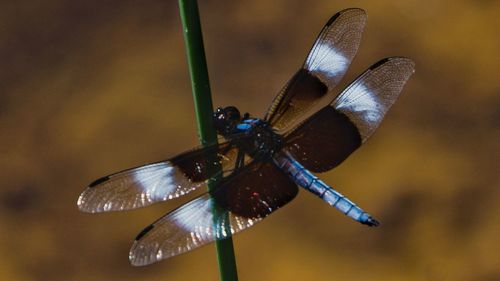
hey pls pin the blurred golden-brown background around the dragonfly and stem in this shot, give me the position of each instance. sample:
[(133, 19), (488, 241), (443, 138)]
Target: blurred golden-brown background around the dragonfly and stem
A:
[(91, 87)]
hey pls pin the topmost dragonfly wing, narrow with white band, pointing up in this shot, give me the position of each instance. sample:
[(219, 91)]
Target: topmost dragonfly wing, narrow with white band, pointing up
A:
[(324, 67)]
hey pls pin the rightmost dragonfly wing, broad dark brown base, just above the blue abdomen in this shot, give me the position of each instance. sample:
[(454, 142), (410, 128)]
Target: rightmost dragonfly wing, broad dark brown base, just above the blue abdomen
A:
[(328, 137)]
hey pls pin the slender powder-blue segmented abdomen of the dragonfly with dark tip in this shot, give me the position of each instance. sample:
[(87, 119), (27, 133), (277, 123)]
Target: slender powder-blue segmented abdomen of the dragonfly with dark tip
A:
[(307, 180)]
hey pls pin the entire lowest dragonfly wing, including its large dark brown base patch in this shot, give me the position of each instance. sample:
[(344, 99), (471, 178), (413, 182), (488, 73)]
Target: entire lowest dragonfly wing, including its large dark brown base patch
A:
[(246, 197)]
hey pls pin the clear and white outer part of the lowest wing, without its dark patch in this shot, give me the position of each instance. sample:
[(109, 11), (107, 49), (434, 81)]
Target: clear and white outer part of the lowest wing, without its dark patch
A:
[(186, 228)]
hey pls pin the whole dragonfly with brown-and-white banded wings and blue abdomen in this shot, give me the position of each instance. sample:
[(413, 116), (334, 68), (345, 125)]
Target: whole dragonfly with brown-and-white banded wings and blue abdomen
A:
[(261, 162)]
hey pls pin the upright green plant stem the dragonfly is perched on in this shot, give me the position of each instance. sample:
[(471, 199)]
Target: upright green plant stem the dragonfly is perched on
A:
[(204, 111)]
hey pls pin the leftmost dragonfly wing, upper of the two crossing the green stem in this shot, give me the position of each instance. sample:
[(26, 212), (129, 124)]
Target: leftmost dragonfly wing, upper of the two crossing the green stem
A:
[(145, 185)]
